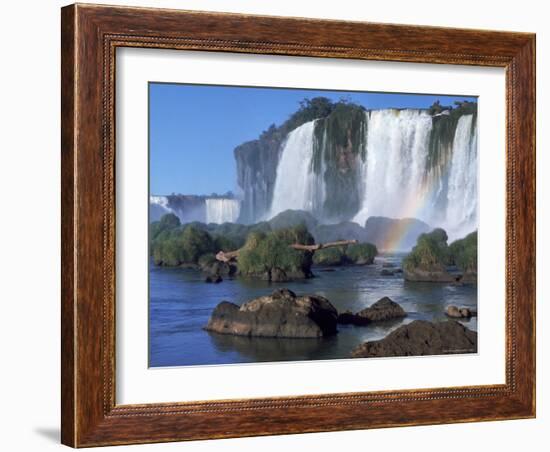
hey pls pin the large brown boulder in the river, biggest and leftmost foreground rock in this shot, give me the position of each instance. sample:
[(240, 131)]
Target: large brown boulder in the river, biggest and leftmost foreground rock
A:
[(281, 314)]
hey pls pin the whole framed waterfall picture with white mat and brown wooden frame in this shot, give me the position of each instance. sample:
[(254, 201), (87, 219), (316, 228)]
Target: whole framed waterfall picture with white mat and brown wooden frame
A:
[(281, 225)]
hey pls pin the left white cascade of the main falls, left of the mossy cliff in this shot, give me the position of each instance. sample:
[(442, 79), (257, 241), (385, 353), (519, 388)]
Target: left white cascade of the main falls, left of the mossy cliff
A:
[(296, 185)]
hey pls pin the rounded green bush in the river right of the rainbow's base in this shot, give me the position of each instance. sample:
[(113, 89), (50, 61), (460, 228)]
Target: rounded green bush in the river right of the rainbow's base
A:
[(431, 252)]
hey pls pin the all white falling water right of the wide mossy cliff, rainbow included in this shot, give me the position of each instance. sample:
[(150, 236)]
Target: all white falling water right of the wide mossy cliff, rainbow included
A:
[(399, 182)]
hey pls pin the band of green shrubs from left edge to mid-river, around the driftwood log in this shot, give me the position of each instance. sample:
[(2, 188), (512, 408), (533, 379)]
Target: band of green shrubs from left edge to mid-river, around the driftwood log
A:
[(263, 250)]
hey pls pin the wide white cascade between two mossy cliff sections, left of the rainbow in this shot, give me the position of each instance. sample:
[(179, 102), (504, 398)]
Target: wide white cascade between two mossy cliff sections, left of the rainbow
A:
[(394, 169)]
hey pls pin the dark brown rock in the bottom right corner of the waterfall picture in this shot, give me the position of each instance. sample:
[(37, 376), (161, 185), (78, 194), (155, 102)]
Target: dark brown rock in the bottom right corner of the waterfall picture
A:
[(421, 338)]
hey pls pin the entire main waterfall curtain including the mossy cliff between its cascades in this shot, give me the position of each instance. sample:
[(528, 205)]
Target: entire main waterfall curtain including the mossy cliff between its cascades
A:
[(395, 163)]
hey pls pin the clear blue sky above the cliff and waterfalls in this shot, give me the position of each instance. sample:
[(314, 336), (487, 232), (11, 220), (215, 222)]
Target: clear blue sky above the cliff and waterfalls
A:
[(193, 129)]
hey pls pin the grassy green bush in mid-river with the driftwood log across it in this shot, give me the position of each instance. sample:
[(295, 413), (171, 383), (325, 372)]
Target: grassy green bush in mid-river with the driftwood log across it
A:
[(264, 252)]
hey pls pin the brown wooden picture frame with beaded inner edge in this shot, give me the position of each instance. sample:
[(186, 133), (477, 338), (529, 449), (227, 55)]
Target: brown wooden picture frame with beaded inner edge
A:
[(90, 36)]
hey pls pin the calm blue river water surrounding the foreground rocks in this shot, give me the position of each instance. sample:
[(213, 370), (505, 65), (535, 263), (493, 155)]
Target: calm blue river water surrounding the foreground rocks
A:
[(181, 303)]
